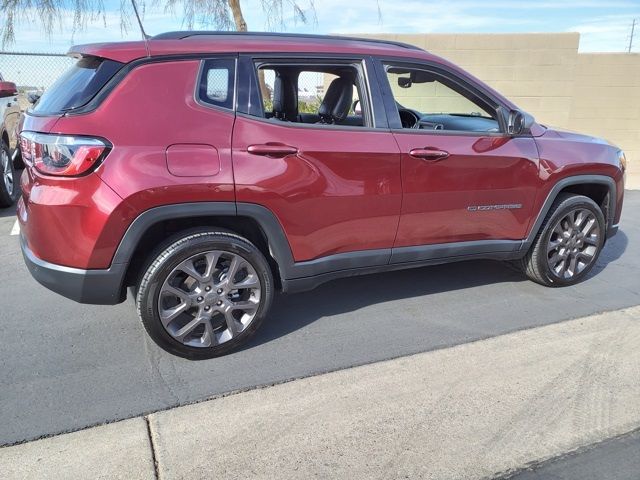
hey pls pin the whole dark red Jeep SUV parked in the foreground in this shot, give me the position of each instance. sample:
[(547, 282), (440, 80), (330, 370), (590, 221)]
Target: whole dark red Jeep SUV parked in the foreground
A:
[(162, 170)]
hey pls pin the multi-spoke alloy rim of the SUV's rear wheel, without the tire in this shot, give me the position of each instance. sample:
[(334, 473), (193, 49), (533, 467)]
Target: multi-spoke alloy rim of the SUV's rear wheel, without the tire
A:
[(209, 298)]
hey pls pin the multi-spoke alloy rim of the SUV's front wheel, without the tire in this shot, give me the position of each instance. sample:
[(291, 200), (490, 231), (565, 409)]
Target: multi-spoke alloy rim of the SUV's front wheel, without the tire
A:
[(573, 243)]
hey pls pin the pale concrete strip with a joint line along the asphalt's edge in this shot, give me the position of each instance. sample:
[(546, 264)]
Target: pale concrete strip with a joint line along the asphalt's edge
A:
[(469, 411)]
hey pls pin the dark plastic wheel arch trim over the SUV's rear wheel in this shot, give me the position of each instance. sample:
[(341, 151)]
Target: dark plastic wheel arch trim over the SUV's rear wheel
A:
[(254, 222)]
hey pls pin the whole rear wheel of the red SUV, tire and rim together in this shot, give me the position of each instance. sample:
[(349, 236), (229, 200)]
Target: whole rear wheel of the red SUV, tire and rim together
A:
[(205, 294)]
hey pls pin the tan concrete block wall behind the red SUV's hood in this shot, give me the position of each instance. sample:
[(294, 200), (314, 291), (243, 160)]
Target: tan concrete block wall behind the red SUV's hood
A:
[(544, 74)]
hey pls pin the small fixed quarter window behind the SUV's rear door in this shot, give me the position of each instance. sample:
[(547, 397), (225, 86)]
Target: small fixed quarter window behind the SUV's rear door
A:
[(217, 82)]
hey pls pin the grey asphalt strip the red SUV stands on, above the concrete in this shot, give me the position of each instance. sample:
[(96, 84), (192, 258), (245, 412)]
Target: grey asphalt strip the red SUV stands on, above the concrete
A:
[(65, 366)]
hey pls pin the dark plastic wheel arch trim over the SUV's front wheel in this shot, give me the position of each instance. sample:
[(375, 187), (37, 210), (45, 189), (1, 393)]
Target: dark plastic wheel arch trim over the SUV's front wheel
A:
[(600, 188)]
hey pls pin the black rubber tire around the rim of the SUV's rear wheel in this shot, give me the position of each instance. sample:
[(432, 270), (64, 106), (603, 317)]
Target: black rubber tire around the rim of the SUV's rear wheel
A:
[(189, 245)]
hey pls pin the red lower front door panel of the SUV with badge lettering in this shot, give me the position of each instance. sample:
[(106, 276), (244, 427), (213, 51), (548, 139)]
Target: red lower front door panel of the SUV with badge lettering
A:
[(480, 171)]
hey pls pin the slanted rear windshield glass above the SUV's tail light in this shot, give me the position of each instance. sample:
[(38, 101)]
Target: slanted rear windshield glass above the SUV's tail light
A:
[(77, 86)]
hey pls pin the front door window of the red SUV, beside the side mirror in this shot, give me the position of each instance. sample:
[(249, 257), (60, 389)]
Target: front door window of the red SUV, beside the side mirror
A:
[(429, 101)]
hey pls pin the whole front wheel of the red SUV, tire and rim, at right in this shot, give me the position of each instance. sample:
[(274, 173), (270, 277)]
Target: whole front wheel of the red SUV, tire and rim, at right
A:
[(568, 244)]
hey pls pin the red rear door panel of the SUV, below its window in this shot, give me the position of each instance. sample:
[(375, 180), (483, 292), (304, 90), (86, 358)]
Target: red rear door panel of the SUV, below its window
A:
[(340, 193)]
